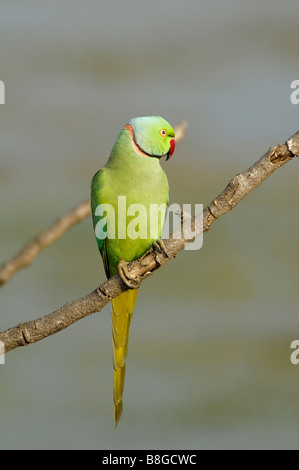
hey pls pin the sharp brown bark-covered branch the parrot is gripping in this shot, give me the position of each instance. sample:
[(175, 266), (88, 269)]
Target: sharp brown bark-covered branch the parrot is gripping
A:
[(136, 271)]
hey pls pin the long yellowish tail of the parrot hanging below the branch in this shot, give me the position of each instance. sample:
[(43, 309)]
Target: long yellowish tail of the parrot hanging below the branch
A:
[(122, 308)]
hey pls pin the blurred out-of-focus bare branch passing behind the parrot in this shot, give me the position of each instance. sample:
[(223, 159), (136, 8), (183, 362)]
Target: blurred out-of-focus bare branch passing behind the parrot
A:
[(29, 252)]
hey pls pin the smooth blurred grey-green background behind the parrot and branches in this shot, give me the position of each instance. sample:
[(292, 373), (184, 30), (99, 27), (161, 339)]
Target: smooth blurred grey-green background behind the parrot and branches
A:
[(209, 354)]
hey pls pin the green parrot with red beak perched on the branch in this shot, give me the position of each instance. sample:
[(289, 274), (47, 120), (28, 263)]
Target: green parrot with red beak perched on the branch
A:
[(133, 171)]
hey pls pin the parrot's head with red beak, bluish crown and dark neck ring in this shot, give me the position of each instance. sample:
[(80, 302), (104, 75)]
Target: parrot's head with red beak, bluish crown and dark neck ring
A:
[(152, 136)]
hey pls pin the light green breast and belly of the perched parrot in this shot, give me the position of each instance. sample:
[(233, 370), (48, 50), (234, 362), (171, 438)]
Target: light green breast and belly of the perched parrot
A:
[(134, 181)]
